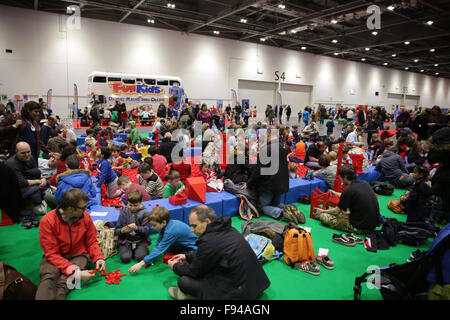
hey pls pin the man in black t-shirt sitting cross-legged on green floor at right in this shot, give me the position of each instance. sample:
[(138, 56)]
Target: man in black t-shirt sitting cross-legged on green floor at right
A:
[(359, 198)]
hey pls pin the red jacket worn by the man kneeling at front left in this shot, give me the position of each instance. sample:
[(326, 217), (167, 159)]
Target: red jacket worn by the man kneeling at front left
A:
[(58, 239)]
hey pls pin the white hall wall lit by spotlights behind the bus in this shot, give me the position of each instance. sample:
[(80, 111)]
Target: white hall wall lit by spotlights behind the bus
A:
[(46, 55)]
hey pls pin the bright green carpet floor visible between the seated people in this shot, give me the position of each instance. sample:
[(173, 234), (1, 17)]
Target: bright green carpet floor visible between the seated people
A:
[(20, 248)]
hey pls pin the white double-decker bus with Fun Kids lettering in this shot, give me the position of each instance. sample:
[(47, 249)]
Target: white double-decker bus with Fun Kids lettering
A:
[(133, 89)]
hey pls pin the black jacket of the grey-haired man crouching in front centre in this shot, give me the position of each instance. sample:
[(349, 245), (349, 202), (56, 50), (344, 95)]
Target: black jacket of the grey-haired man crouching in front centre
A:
[(224, 264)]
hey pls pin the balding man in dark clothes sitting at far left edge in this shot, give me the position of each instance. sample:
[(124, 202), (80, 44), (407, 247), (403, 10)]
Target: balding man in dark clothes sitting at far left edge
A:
[(31, 183)]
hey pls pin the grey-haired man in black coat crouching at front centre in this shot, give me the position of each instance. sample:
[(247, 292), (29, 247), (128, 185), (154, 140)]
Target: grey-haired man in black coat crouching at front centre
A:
[(224, 266)]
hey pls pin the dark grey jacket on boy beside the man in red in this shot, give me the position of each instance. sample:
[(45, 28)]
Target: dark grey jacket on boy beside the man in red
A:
[(140, 218)]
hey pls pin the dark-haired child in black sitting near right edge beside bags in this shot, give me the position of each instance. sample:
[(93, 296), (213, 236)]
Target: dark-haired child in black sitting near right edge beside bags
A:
[(418, 197)]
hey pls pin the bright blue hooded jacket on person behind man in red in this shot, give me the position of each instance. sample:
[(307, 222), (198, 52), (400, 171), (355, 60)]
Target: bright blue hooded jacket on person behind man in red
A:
[(78, 178)]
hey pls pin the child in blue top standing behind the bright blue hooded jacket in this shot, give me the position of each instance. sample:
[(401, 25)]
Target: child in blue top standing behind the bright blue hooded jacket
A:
[(106, 174)]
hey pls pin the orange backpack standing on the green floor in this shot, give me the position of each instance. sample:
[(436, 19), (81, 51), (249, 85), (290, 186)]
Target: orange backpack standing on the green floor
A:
[(298, 246)]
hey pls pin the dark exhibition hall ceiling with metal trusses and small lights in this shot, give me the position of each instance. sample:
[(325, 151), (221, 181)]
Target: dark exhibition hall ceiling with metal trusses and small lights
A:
[(406, 35)]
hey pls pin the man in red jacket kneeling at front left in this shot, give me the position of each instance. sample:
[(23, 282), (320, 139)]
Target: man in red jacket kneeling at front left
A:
[(68, 238)]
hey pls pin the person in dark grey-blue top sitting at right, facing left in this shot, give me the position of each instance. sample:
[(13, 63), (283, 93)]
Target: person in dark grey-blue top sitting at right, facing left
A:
[(393, 168)]
